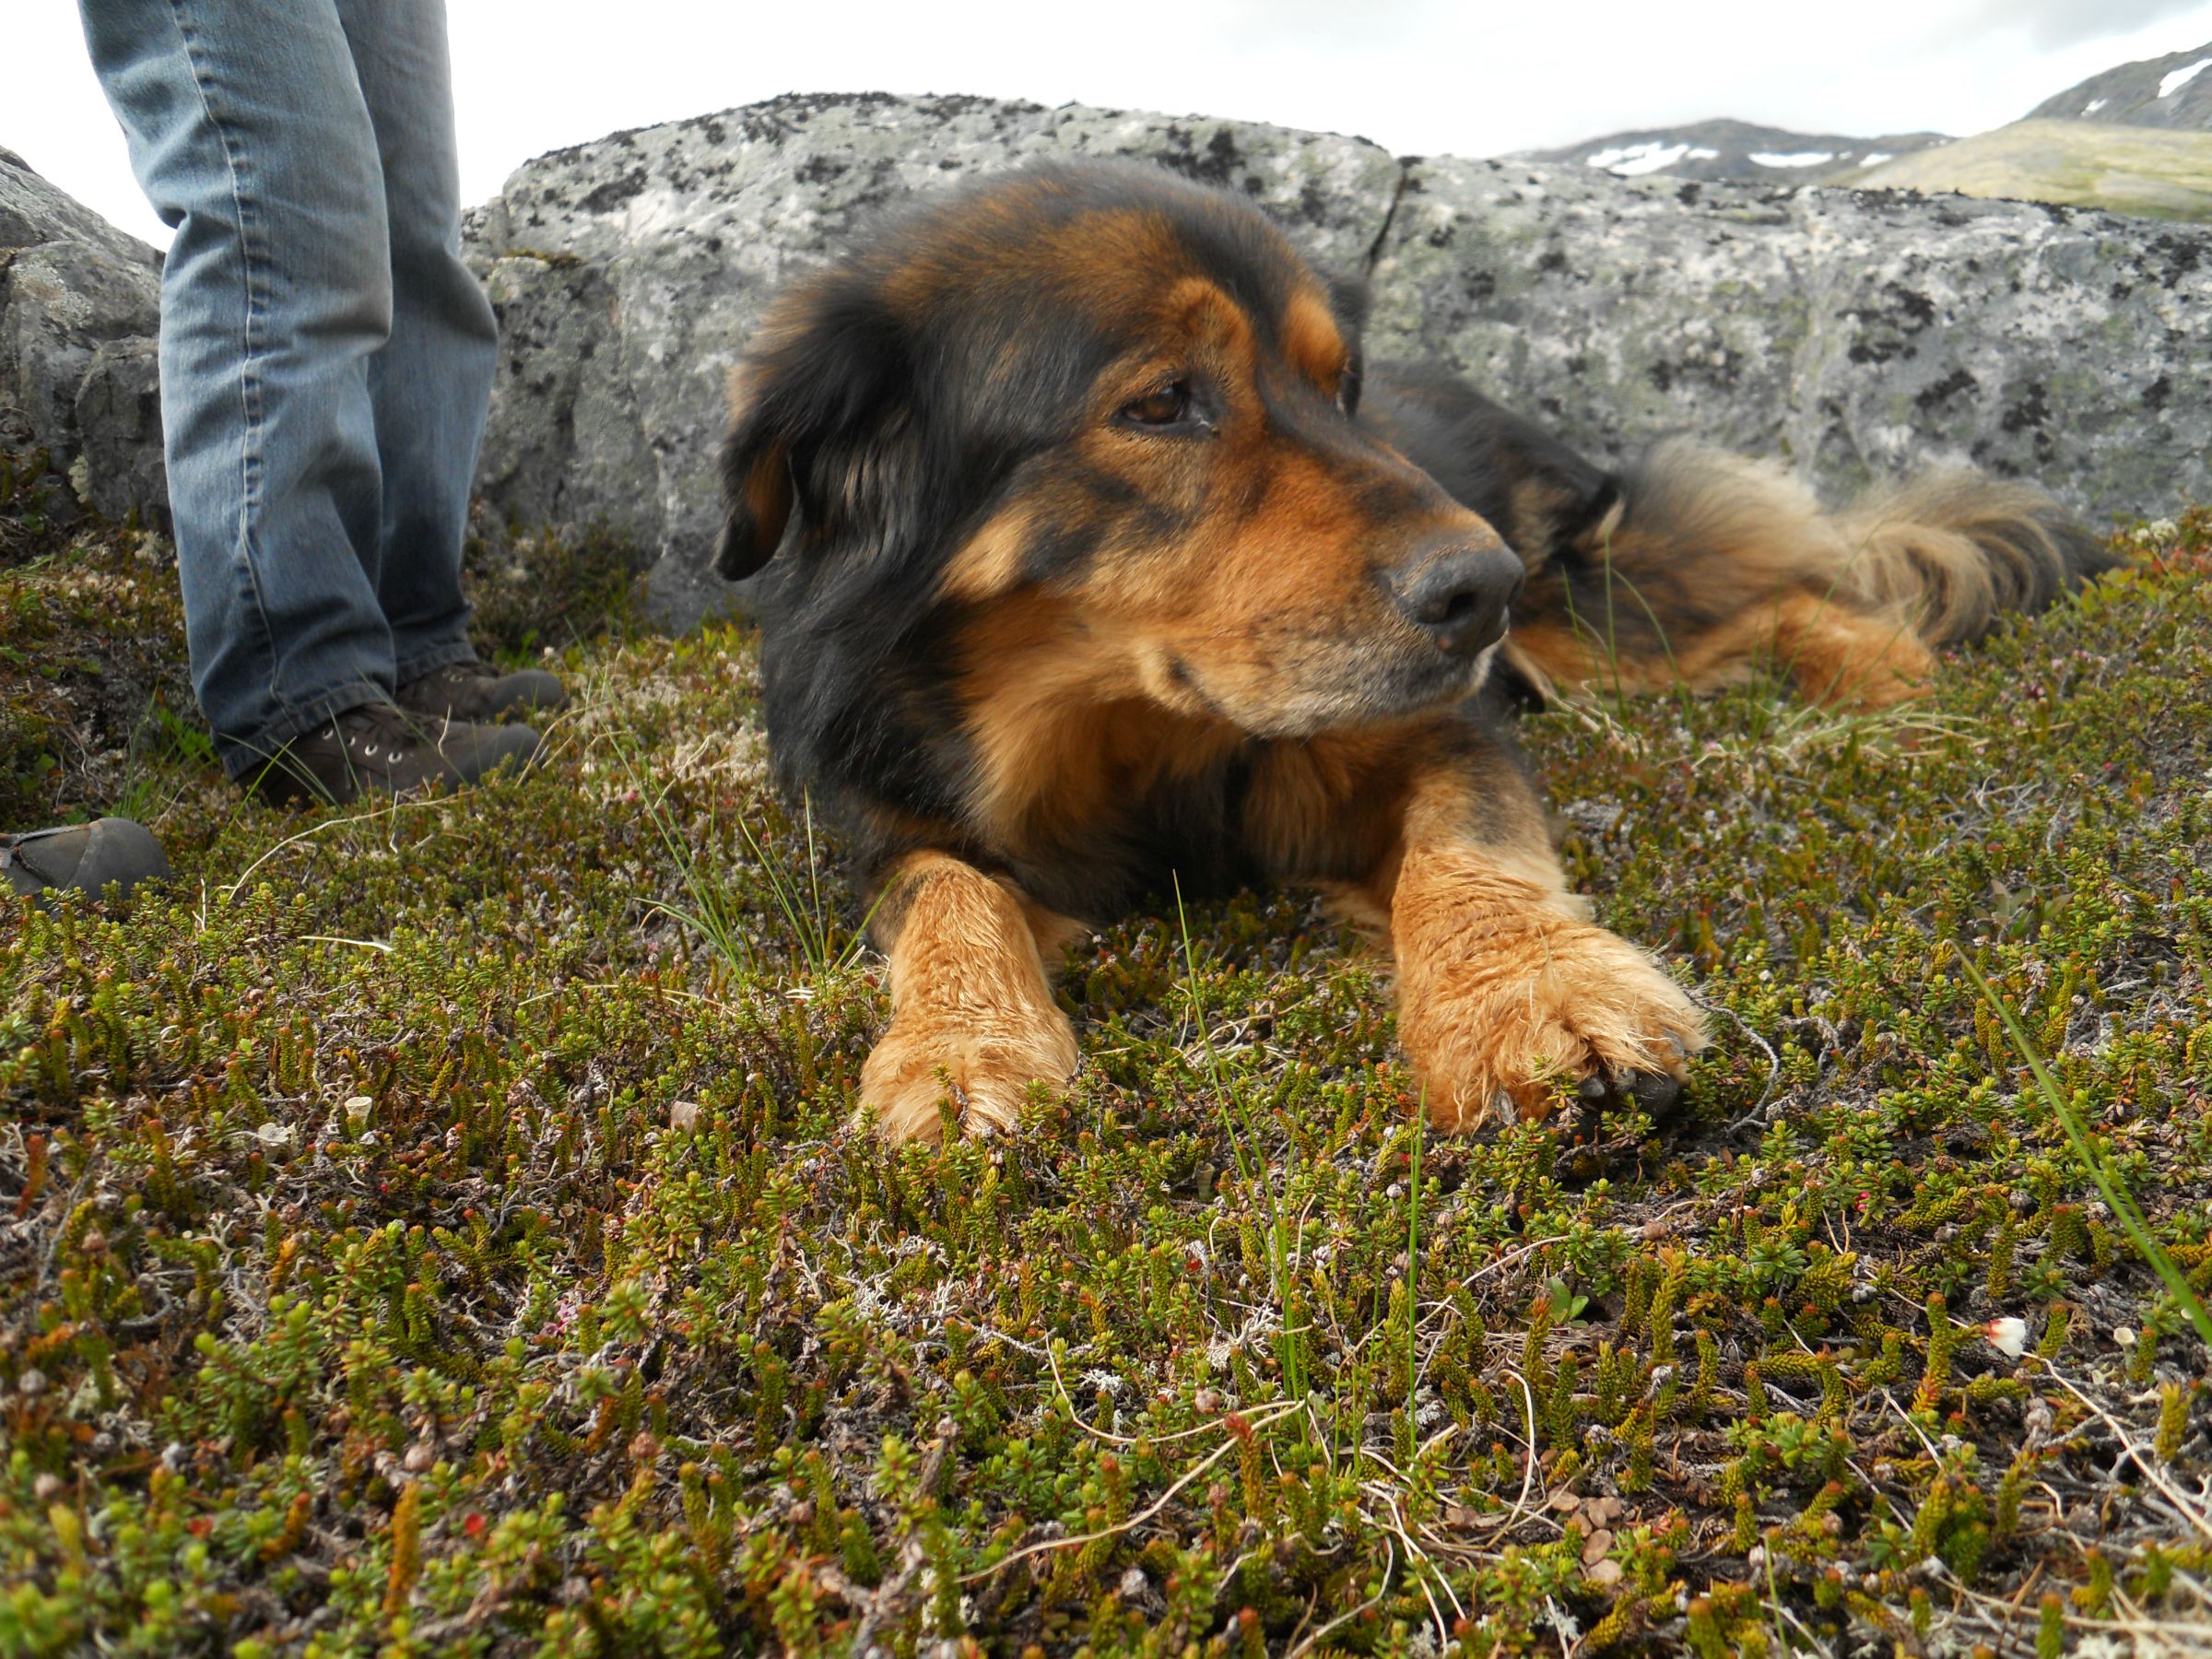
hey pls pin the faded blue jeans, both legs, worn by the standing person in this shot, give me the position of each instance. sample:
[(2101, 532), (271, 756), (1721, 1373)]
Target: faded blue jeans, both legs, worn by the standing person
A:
[(326, 357)]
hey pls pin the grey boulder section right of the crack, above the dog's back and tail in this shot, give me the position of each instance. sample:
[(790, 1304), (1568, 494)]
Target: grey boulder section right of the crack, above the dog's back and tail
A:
[(1850, 333)]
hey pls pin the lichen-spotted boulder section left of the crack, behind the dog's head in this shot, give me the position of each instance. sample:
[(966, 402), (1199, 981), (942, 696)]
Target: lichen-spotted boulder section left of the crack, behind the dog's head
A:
[(629, 275)]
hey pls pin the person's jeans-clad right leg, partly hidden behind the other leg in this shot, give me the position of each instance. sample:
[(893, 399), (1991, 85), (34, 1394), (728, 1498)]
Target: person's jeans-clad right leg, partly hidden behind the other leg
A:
[(432, 382)]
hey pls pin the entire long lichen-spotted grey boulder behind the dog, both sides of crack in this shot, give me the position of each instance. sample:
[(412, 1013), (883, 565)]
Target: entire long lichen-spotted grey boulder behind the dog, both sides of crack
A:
[(1848, 333)]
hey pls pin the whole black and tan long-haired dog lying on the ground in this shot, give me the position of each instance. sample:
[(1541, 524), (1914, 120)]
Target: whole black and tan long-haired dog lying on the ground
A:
[(1100, 554)]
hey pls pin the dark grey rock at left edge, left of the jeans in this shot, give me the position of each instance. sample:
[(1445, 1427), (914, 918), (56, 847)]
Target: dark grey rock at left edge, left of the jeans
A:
[(81, 306)]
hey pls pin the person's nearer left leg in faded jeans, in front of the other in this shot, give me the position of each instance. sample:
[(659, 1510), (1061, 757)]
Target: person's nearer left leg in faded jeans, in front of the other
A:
[(251, 138)]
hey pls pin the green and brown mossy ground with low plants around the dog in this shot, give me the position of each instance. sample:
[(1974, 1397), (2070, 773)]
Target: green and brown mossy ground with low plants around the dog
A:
[(417, 1240)]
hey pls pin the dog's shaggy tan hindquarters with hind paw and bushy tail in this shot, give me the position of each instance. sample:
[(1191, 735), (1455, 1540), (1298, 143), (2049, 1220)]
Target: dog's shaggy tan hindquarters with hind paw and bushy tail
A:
[(1709, 563)]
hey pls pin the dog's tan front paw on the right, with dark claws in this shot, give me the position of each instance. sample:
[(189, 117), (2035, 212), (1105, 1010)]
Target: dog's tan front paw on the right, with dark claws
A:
[(1496, 1032)]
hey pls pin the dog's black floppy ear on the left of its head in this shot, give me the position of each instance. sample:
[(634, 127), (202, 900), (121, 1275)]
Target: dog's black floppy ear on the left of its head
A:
[(826, 432)]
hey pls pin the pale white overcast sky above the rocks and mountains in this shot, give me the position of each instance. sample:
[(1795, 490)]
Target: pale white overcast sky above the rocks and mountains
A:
[(1419, 76)]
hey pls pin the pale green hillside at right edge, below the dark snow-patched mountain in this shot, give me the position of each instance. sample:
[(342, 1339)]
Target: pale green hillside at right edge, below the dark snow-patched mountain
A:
[(2087, 165)]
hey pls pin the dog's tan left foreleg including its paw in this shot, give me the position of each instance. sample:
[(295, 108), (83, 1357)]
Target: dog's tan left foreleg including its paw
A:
[(972, 1012)]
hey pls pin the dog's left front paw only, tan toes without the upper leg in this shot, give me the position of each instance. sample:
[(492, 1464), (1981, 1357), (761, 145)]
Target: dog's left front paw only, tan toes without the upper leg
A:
[(983, 1067)]
